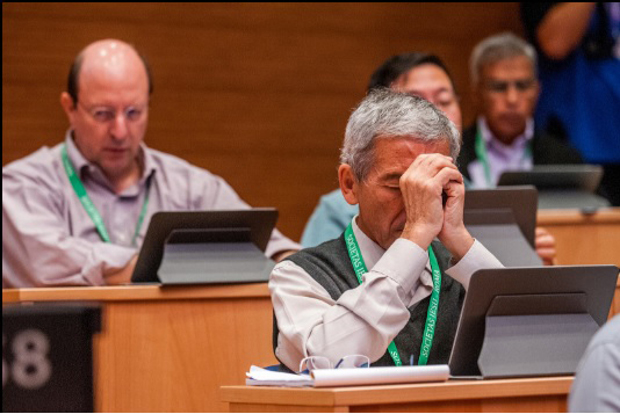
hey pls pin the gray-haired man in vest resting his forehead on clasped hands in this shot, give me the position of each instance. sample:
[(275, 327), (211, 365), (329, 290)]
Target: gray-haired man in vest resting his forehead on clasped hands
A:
[(385, 288)]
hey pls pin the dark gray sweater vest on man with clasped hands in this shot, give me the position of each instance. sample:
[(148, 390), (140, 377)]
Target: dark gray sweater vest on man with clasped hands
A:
[(330, 266)]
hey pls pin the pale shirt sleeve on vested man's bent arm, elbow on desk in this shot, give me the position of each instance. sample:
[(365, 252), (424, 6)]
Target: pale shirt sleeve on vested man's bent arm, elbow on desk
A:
[(363, 320)]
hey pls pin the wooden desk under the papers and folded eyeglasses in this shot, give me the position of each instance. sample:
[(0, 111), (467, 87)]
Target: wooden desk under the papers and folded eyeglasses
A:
[(513, 395)]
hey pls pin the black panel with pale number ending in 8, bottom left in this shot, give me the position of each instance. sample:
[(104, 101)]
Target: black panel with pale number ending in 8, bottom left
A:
[(47, 357)]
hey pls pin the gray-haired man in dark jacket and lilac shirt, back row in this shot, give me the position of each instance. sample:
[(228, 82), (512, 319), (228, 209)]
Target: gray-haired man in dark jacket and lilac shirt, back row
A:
[(504, 137)]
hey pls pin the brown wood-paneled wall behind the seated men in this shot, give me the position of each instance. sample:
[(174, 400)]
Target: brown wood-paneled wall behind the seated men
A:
[(257, 93)]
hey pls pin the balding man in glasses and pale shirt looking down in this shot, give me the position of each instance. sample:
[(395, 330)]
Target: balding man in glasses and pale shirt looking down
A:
[(77, 213)]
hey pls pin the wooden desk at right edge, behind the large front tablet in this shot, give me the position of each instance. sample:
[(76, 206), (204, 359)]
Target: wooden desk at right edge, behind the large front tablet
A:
[(585, 239)]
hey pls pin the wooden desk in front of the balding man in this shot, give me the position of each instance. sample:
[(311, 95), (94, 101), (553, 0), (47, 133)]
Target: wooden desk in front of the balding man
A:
[(170, 349)]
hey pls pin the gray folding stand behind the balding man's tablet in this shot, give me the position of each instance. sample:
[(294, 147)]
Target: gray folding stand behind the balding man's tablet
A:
[(215, 255)]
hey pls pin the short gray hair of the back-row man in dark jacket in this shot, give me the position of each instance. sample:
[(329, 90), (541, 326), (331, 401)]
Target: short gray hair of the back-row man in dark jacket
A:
[(499, 47)]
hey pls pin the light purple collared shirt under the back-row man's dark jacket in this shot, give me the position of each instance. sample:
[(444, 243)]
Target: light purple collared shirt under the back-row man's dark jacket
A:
[(501, 157)]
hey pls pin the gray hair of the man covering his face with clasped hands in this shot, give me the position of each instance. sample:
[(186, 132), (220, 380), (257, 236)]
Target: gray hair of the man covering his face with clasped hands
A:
[(385, 113)]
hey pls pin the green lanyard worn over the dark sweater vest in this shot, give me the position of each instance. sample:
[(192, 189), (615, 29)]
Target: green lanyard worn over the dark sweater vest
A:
[(360, 268)]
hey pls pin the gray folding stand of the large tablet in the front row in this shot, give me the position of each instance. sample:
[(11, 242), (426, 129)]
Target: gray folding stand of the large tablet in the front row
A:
[(534, 335)]
